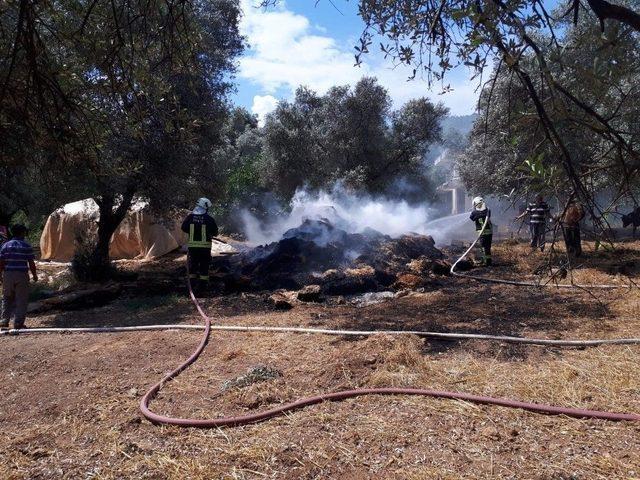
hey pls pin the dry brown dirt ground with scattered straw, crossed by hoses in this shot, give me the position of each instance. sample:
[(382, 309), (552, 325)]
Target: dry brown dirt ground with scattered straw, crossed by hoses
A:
[(70, 402)]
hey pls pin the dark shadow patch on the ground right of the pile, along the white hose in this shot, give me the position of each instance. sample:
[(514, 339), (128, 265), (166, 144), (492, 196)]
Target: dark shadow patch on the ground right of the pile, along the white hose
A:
[(481, 309)]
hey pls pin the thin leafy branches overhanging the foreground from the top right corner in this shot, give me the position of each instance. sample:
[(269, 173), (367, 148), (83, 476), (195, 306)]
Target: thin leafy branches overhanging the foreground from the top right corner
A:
[(434, 36)]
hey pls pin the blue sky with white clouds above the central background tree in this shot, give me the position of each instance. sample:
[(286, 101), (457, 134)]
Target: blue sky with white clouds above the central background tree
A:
[(299, 42)]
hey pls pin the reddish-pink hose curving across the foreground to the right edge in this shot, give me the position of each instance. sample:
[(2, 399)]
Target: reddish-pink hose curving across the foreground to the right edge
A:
[(342, 395)]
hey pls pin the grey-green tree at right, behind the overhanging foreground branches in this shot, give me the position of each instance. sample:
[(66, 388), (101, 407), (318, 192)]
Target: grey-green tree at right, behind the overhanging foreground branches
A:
[(509, 150)]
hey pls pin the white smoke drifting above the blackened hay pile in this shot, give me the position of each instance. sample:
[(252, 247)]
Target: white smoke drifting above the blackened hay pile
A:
[(353, 213)]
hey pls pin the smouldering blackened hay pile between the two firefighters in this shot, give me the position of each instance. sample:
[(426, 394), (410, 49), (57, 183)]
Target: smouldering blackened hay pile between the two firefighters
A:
[(319, 258)]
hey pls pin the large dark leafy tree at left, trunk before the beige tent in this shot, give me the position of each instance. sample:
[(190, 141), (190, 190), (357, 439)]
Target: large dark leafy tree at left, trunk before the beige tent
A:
[(129, 96)]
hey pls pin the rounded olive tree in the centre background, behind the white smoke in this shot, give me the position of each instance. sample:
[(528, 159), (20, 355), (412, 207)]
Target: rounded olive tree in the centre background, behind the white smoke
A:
[(348, 135)]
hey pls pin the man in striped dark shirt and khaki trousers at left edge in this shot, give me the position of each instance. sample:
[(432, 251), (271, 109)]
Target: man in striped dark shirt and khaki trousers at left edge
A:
[(16, 259)]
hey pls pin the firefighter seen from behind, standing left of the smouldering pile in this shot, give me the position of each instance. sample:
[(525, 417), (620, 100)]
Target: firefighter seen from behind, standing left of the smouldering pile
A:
[(201, 228)]
